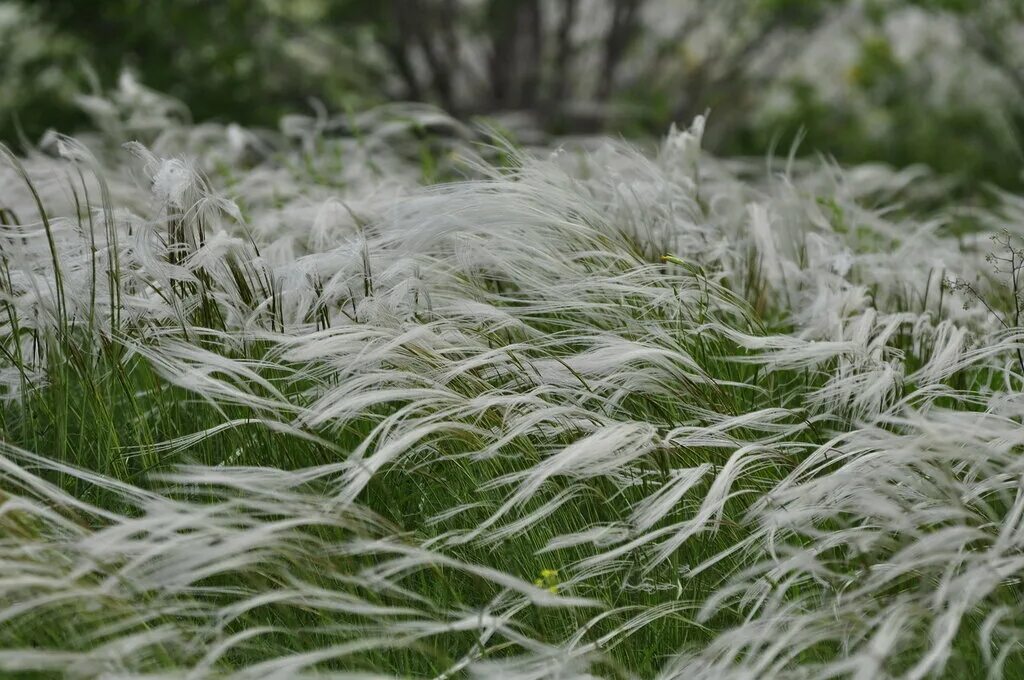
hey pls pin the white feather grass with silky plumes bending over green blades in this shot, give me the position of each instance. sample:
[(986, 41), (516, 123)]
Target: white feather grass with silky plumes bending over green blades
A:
[(356, 402)]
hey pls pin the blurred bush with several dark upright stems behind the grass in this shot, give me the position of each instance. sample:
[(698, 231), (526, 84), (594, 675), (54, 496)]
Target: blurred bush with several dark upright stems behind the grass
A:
[(496, 55)]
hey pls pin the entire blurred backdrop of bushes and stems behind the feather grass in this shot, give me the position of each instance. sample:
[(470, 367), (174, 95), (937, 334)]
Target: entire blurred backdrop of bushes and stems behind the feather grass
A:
[(932, 82)]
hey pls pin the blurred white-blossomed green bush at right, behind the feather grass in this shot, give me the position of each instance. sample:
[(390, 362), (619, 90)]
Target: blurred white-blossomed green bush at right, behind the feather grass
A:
[(912, 82)]
